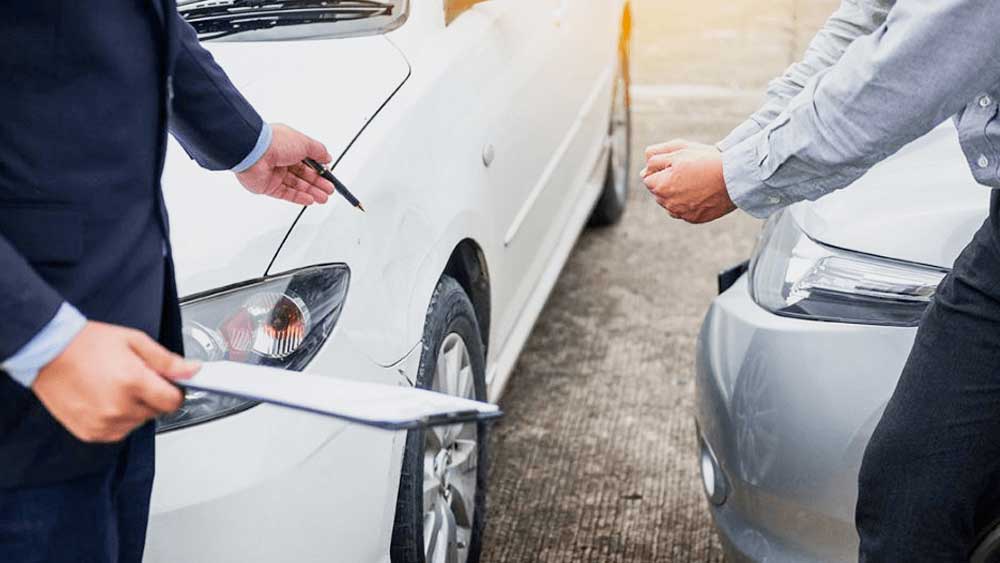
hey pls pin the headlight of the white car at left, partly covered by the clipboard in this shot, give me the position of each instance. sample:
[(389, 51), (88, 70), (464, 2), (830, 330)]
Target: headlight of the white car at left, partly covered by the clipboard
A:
[(279, 321)]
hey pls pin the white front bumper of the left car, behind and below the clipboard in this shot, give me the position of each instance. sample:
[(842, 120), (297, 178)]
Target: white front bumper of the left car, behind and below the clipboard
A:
[(271, 484)]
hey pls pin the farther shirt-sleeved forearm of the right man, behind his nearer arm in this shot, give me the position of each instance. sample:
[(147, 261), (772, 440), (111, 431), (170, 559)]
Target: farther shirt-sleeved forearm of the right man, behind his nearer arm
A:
[(854, 19)]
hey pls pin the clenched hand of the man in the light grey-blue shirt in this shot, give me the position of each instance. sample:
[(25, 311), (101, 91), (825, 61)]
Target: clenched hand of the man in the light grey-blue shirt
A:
[(686, 179)]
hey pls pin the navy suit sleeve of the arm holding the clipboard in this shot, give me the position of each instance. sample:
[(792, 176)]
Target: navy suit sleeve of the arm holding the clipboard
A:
[(27, 302)]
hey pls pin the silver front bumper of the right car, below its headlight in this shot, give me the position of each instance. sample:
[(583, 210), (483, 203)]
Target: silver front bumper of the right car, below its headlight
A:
[(787, 407)]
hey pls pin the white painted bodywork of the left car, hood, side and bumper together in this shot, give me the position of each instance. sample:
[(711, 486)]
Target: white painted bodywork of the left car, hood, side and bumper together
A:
[(269, 485)]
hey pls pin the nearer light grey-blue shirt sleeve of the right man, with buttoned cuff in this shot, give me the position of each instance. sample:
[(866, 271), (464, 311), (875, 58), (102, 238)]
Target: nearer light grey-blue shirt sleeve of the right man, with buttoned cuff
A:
[(923, 65)]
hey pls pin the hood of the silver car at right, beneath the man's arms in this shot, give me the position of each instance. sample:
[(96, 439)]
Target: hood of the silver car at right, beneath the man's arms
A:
[(921, 205)]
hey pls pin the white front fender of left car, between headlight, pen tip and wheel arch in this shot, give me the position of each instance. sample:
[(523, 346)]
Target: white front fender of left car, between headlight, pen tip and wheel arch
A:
[(399, 247)]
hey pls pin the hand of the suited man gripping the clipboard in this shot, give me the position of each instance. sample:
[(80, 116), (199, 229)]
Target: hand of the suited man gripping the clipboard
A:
[(109, 381)]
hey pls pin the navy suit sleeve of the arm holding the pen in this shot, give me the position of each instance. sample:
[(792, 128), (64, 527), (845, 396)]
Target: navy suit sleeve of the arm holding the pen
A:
[(211, 119)]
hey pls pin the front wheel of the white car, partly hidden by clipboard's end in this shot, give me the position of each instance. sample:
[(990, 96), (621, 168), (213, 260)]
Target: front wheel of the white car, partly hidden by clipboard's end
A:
[(441, 508)]
